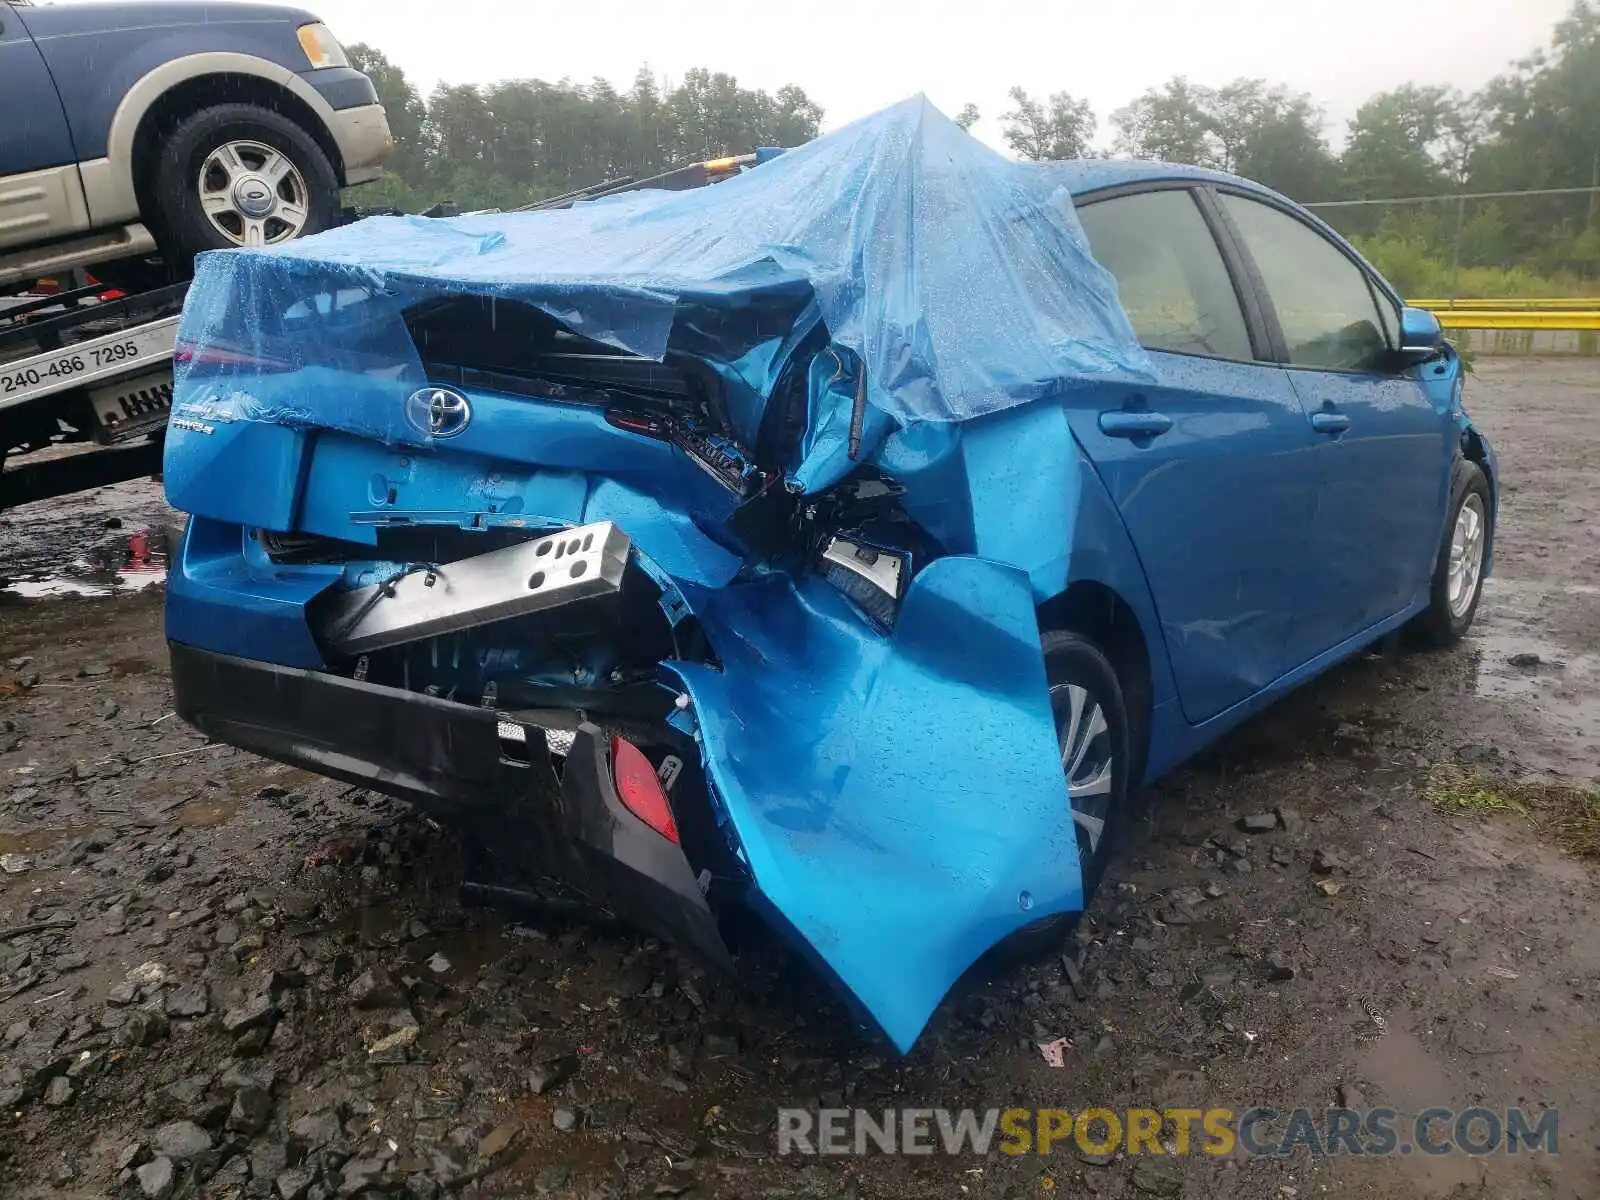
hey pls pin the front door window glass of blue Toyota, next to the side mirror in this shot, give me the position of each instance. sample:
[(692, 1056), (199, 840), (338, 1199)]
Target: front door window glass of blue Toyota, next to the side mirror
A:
[(1324, 300)]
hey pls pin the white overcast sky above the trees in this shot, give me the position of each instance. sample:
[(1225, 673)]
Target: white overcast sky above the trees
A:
[(855, 57)]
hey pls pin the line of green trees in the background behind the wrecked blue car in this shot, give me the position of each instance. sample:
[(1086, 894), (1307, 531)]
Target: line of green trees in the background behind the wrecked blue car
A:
[(1535, 127)]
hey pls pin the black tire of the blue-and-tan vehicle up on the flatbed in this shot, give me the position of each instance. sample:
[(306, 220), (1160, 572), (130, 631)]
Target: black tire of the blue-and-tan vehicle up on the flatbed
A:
[(183, 228)]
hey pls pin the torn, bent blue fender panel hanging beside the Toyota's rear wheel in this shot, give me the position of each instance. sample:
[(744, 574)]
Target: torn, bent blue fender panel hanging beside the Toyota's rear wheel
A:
[(900, 801)]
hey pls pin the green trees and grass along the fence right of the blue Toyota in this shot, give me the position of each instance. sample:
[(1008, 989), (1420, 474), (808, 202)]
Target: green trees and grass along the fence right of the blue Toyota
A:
[(1537, 127)]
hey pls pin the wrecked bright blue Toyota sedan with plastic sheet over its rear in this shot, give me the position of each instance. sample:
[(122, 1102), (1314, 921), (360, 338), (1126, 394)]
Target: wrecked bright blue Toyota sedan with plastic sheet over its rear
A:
[(842, 542)]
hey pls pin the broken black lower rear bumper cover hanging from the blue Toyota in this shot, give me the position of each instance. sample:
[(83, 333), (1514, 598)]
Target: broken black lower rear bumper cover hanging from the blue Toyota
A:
[(522, 822)]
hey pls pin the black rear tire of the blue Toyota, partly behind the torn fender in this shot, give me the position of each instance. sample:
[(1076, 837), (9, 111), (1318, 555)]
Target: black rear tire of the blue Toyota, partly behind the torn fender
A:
[(1071, 658)]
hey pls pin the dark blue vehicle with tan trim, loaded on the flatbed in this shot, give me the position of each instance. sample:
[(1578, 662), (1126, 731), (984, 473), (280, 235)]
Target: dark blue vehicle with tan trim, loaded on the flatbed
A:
[(140, 129)]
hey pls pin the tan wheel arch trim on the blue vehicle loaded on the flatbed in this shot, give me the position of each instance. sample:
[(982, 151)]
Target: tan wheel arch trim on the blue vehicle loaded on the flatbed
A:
[(118, 186)]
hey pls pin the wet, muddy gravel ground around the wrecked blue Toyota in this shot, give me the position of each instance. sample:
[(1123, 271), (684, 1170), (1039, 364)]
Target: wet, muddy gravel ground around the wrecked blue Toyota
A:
[(220, 977)]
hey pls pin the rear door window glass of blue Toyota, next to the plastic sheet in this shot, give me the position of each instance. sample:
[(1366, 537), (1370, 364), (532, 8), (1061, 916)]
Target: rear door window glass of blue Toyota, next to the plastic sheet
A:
[(1170, 274)]
